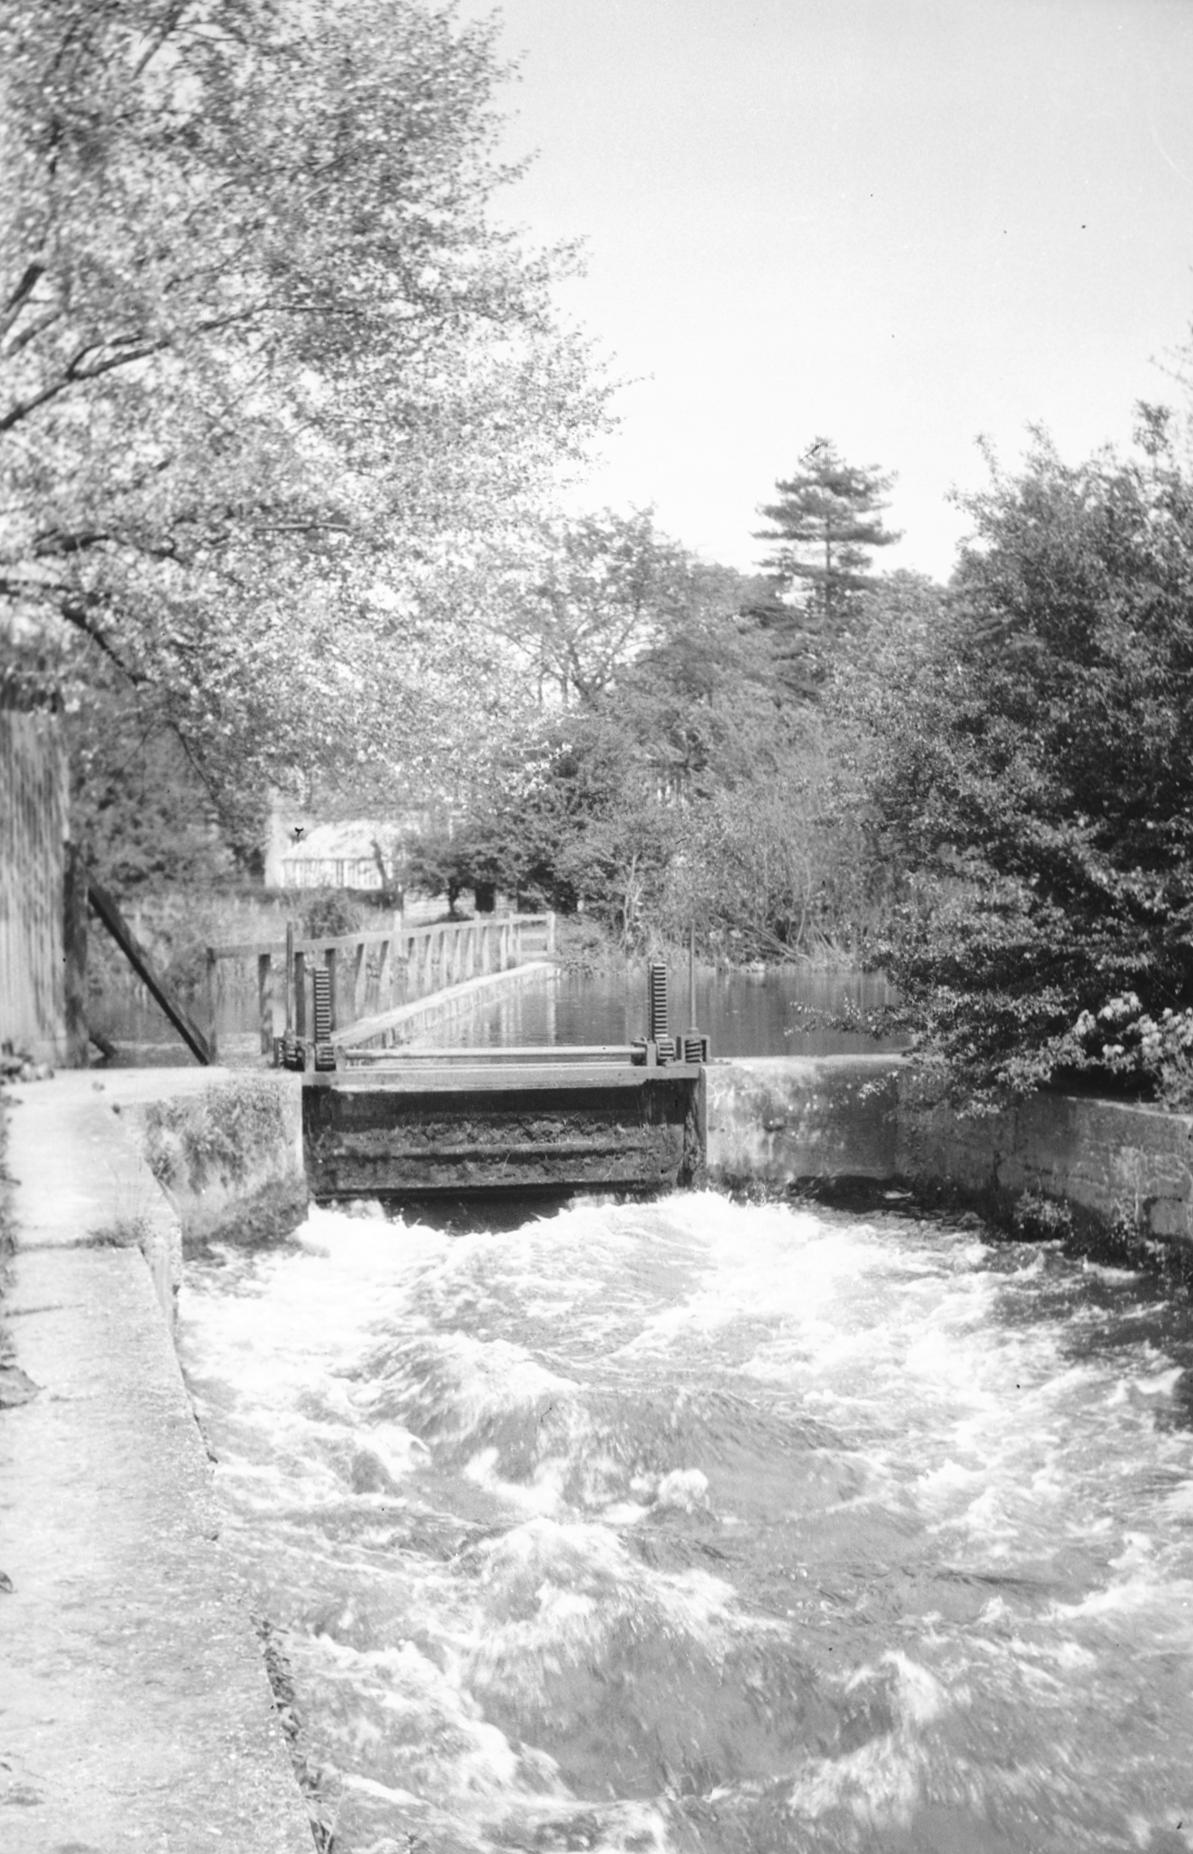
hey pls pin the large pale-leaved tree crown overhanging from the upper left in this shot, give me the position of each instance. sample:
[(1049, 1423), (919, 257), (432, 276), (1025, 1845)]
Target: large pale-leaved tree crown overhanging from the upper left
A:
[(272, 383)]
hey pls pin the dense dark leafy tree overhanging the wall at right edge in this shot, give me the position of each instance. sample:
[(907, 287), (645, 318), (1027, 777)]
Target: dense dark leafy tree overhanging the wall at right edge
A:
[(1036, 781)]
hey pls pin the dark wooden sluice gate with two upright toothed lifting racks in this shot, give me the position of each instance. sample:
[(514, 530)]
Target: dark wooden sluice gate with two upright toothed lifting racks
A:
[(487, 1123)]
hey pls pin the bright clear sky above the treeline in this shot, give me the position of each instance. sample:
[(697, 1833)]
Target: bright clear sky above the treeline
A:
[(904, 225)]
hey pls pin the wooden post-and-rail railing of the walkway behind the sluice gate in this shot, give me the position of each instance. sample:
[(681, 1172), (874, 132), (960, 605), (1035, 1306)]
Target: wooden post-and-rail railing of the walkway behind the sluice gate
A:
[(370, 972)]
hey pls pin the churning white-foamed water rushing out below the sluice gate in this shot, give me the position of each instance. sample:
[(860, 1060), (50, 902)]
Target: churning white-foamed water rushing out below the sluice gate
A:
[(717, 1529)]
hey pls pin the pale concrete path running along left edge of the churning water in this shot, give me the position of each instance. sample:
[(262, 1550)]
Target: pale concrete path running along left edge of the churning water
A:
[(135, 1705)]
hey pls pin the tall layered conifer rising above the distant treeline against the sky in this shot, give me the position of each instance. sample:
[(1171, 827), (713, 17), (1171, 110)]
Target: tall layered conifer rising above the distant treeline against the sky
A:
[(827, 526)]
